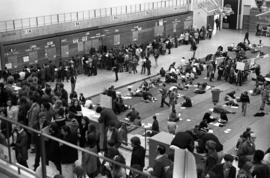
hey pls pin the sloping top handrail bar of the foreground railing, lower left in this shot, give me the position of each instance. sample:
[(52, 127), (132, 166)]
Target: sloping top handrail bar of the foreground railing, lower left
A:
[(40, 133)]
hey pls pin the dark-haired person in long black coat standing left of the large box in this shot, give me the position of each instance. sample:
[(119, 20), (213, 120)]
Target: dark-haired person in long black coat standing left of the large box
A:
[(138, 153)]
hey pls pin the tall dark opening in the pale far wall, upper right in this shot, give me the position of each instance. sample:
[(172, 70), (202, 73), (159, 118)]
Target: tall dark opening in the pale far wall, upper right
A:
[(231, 11)]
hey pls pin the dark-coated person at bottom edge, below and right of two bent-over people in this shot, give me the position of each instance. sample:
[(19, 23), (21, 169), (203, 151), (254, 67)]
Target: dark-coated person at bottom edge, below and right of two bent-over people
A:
[(224, 170)]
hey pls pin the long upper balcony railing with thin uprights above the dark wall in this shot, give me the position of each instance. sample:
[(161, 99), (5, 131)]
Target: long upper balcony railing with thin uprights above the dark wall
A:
[(115, 14)]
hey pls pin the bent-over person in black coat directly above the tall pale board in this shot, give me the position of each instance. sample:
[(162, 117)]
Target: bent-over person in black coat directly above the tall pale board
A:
[(184, 140)]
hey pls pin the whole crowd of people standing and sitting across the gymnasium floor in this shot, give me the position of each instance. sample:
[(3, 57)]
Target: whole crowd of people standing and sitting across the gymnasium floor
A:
[(34, 103)]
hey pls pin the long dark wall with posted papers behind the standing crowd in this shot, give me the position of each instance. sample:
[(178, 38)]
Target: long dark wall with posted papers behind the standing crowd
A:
[(16, 54)]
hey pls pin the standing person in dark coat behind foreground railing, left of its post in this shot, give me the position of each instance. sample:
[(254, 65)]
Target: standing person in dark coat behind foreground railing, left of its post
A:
[(21, 146)]
